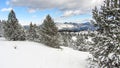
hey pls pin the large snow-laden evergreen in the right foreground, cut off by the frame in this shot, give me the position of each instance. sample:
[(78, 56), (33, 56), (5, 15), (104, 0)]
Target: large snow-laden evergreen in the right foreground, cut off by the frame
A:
[(107, 43)]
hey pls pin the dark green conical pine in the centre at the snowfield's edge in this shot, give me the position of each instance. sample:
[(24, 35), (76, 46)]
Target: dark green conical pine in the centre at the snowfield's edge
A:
[(49, 33)]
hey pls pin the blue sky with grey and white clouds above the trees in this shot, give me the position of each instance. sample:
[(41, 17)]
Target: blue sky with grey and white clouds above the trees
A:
[(61, 11)]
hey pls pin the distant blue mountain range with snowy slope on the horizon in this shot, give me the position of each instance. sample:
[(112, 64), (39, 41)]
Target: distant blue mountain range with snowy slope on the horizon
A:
[(75, 27)]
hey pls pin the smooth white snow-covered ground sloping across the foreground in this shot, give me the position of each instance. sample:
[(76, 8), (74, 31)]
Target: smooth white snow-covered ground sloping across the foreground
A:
[(35, 55)]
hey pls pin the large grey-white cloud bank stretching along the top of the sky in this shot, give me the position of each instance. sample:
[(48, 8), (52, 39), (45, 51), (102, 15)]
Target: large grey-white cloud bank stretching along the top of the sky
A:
[(69, 7)]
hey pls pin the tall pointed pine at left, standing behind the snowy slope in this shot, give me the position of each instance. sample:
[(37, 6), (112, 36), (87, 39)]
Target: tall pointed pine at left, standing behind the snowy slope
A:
[(12, 29)]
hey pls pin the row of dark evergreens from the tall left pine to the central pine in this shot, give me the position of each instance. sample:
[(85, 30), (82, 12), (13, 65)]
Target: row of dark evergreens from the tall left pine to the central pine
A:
[(46, 34)]
